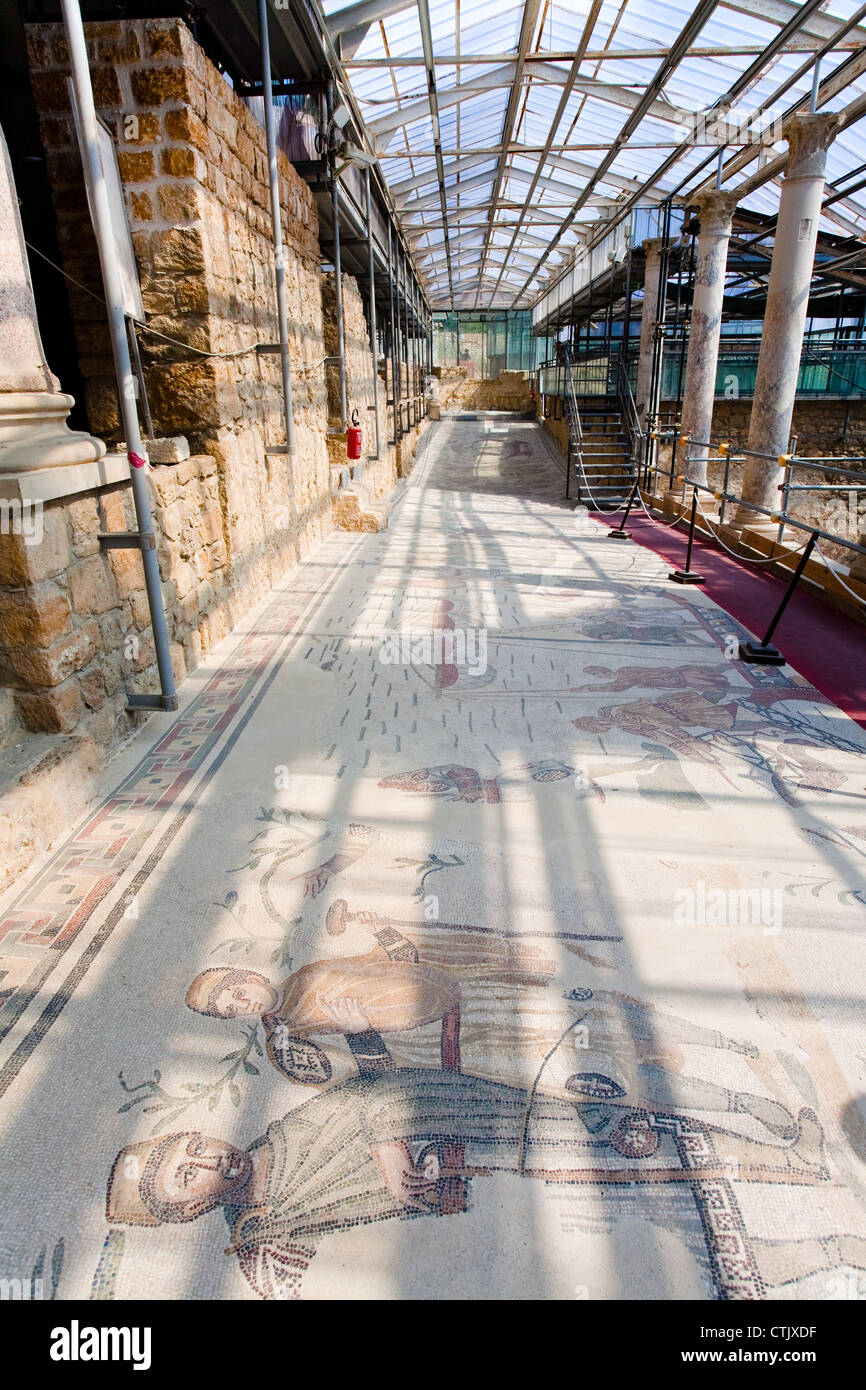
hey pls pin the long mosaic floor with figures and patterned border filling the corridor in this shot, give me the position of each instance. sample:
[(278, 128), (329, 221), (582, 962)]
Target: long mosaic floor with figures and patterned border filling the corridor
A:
[(480, 929)]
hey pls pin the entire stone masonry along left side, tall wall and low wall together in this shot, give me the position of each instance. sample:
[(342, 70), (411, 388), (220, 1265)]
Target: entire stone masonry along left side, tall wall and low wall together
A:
[(237, 515)]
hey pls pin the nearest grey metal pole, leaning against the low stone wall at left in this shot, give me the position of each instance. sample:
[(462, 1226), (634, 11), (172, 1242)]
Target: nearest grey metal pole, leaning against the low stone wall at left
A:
[(120, 344)]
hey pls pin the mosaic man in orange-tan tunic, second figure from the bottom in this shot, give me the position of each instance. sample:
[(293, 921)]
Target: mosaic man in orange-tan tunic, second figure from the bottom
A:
[(498, 1020)]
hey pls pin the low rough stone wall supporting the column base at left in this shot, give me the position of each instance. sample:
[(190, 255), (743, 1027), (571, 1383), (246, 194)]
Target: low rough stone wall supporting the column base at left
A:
[(74, 621)]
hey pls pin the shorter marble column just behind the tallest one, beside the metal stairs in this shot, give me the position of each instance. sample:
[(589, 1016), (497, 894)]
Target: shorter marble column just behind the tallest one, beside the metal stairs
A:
[(715, 212)]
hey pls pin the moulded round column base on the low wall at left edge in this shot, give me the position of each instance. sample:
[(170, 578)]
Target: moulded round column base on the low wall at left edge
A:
[(34, 433)]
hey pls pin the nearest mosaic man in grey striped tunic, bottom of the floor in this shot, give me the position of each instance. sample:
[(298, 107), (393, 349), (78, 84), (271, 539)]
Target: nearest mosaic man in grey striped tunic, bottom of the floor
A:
[(376, 1149)]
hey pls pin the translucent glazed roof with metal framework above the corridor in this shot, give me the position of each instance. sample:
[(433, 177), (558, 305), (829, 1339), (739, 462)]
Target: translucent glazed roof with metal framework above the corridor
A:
[(476, 49)]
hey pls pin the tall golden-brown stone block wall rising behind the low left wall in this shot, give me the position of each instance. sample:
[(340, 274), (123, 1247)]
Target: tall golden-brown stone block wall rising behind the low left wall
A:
[(193, 161)]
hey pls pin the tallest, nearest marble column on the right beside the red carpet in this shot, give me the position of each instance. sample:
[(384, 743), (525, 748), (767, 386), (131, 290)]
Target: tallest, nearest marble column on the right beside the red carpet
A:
[(810, 137)]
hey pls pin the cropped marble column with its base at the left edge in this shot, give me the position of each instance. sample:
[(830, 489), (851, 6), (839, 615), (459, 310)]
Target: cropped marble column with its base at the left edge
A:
[(34, 432)]
